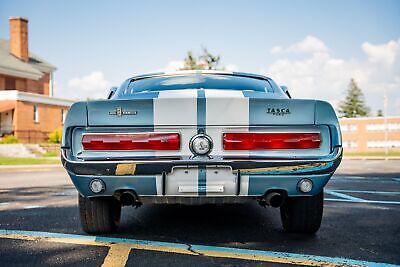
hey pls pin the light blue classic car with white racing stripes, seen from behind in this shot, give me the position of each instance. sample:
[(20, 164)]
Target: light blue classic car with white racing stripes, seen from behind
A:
[(197, 137)]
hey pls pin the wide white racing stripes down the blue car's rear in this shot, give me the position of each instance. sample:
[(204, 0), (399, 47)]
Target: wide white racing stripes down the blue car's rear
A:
[(222, 108)]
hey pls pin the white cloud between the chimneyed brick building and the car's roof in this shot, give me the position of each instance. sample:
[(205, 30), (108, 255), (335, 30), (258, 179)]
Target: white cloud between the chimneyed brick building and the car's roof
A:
[(93, 85)]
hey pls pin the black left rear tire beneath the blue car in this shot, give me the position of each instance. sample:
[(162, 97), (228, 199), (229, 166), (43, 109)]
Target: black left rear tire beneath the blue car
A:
[(99, 215)]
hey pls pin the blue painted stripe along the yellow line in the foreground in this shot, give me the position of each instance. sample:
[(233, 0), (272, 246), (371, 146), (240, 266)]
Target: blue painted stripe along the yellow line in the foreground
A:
[(200, 248)]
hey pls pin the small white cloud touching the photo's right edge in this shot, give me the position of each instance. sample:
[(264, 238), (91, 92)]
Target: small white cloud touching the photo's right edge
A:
[(383, 53)]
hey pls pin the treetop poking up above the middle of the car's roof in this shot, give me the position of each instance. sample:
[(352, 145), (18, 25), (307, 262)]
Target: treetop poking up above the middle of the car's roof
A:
[(206, 61)]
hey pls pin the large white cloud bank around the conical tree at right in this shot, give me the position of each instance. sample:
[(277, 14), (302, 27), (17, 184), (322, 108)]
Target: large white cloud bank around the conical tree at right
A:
[(322, 76)]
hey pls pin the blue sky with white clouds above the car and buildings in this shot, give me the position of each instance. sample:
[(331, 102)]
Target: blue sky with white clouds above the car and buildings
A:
[(312, 46)]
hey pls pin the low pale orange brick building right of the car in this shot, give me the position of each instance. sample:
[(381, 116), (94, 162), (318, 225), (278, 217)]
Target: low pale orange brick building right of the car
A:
[(371, 134)]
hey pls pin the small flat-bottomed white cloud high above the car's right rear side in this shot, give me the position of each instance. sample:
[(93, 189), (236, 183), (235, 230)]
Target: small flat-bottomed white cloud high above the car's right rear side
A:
[(310, 44)]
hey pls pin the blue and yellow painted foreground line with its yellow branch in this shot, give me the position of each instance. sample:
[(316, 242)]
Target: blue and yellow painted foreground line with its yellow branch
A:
[(120, 249)]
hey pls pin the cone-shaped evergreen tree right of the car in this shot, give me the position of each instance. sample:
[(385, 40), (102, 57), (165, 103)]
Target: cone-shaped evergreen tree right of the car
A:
[(354, 105)]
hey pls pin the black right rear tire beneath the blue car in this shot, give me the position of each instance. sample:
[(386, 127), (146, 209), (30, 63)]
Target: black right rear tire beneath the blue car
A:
[(302, 214)]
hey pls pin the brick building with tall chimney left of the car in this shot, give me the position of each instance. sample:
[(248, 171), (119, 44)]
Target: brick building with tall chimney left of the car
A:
[(28, 109)]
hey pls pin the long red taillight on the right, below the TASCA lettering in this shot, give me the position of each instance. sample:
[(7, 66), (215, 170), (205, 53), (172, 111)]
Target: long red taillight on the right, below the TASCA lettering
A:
[(261, 141)]
